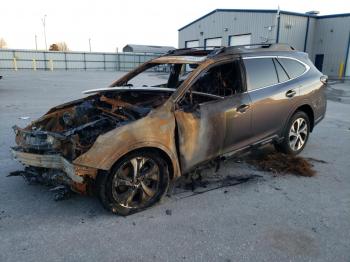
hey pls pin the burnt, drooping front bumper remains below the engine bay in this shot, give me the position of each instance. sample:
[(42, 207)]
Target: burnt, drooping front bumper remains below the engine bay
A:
[(77, 176)]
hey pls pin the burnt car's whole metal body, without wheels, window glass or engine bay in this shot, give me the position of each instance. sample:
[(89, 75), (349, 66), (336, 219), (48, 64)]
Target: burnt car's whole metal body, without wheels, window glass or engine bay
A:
[(190, 137)]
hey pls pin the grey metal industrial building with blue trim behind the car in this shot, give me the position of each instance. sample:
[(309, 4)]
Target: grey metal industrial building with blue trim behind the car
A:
[(325, 38)]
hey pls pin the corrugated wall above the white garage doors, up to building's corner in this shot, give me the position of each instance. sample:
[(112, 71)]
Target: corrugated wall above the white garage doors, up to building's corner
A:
[(262, 26)]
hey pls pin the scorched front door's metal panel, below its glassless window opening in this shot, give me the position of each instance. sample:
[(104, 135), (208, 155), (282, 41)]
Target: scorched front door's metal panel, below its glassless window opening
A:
[(211, 128)]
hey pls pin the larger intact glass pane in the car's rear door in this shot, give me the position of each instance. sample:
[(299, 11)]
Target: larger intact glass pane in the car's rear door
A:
[(260, 72)]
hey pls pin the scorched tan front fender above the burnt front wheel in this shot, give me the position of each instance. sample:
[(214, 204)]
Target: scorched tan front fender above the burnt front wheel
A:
[(156, 130)]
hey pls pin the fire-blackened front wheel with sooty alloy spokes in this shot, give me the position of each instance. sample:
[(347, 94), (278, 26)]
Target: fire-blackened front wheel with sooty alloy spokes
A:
[(135, 182)]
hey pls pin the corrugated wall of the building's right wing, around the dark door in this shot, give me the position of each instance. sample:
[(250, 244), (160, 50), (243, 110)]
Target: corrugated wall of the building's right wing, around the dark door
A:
[(331, 39)]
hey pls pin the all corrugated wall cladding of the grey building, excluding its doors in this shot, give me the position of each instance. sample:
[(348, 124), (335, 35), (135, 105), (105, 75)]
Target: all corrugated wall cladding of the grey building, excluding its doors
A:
[(328, 36)]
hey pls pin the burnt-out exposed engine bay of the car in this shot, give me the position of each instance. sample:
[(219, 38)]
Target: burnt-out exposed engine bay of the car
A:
[(72, 128)]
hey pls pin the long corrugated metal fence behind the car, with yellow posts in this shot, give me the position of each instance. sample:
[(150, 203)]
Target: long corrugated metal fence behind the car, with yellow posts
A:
[(18, 59)]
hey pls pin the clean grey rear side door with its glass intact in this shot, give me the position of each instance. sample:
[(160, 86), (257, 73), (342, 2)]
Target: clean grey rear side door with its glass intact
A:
[(272, 94)]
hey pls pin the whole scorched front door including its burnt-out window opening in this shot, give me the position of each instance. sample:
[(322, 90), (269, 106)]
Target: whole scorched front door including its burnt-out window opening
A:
[(218, 119)]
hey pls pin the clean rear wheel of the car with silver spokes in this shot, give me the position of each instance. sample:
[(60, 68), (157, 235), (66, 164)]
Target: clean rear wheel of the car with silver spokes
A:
[(295, 135)]
